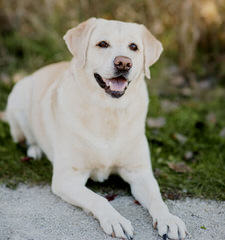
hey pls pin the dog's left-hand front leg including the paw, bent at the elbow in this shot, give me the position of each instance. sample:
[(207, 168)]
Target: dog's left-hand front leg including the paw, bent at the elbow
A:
[(69, 184)]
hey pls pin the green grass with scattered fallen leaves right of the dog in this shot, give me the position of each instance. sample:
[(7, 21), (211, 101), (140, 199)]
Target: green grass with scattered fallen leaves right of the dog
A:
[(206, 177)]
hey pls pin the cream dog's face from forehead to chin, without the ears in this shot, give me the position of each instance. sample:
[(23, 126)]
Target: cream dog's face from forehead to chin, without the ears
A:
[(115, 55)]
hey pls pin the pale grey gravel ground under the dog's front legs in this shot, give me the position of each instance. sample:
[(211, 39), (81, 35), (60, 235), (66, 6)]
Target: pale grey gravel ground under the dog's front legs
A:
[(34, 213)]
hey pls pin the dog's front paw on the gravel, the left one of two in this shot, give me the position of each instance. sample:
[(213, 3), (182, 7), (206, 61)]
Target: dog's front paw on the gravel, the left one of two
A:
[(117, 226)]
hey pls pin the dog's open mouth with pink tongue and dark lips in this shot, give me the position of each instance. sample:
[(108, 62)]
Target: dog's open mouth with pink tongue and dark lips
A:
[(116, 87)]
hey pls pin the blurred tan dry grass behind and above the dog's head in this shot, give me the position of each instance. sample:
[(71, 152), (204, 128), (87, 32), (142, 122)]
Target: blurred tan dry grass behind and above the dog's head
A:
[(187, 27)]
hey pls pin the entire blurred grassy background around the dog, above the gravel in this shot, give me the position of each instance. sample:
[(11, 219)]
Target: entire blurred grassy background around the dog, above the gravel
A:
[(186, 120)]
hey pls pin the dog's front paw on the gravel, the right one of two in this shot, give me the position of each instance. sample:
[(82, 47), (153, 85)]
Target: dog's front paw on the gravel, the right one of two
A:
[(170, 226)]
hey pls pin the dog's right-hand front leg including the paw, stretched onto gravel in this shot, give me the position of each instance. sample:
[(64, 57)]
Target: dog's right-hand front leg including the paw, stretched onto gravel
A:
[(145, 189)]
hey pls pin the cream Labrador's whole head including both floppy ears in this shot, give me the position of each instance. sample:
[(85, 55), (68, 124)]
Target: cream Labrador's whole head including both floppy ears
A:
[(114, 53)]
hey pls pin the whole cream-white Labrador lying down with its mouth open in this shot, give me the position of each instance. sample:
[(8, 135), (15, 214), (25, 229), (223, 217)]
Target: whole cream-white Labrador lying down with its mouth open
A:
[(88, 117)]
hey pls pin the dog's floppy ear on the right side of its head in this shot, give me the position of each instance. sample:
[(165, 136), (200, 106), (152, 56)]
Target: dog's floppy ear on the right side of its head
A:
[(152, 50)]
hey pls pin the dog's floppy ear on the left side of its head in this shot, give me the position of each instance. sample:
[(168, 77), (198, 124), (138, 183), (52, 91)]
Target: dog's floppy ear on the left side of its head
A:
[(77, 40)]
